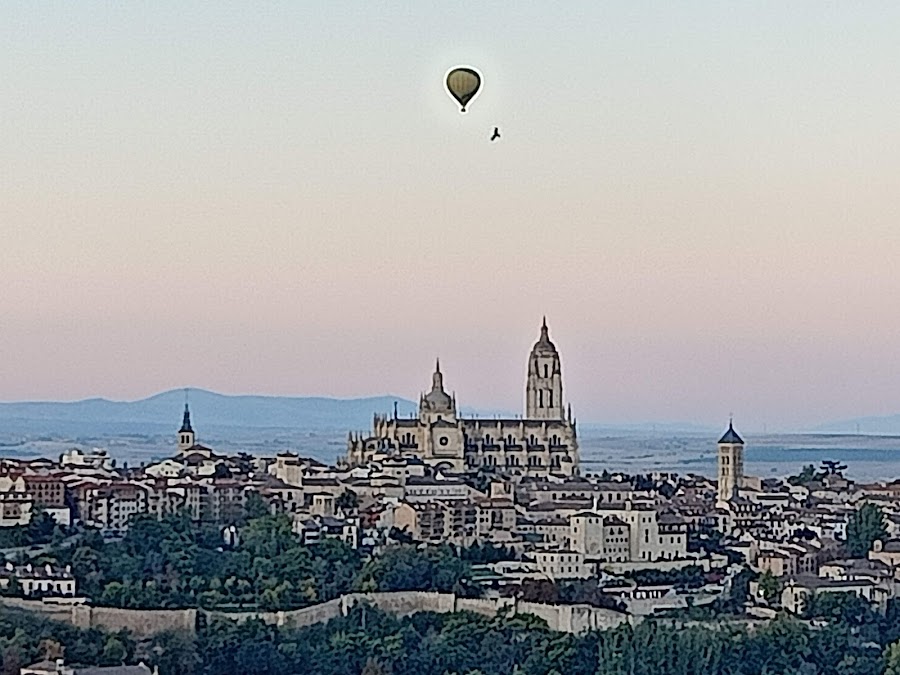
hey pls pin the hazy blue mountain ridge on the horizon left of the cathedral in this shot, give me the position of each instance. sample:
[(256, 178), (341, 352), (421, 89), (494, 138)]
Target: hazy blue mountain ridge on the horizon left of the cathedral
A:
[(162, 413)]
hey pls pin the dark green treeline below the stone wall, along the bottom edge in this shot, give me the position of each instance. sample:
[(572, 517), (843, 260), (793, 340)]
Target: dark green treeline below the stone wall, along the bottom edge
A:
[(370, 642)]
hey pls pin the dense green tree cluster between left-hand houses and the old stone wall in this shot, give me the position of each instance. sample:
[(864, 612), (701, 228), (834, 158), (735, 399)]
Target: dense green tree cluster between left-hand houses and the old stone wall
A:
[(174, 562)]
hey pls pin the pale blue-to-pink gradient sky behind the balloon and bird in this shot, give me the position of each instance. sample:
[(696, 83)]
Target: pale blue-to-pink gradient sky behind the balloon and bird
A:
[(280, 198)]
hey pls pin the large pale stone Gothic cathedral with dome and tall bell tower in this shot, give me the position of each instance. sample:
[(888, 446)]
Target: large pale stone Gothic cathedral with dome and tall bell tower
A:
[(542, 443)]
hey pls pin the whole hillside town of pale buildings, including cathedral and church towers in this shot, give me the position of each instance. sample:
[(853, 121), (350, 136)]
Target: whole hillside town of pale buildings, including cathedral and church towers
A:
[(650, 544)]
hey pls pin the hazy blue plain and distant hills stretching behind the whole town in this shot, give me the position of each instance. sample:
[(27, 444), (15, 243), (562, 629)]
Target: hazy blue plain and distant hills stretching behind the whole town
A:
[(141, 431)]
